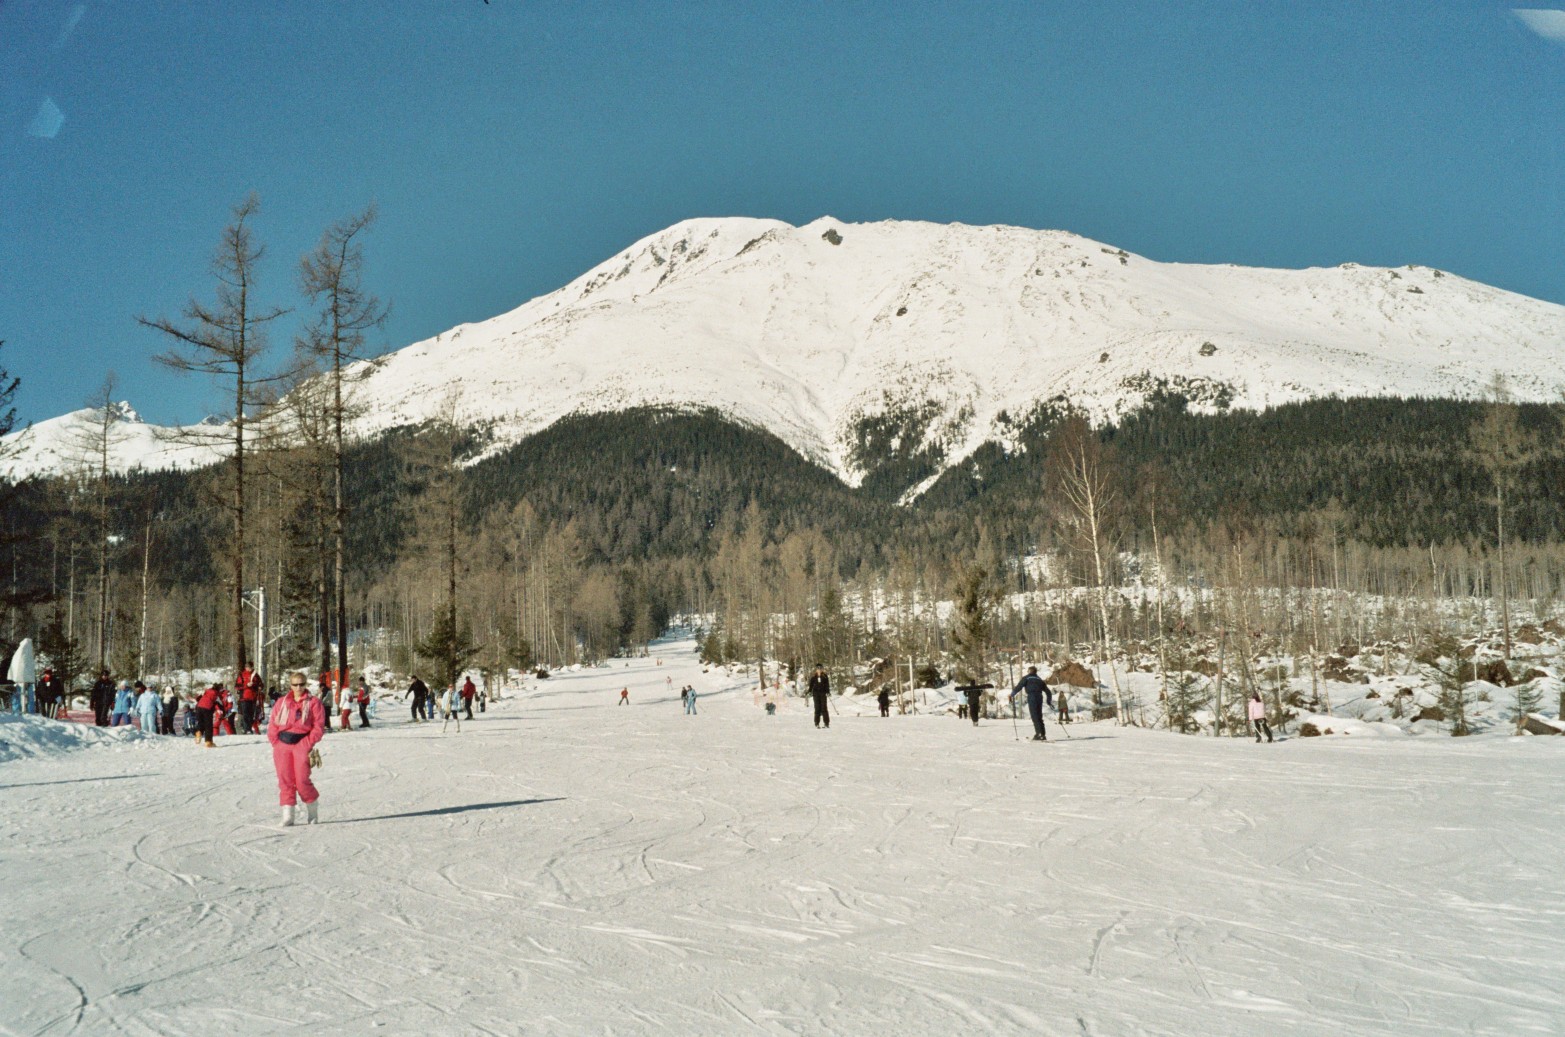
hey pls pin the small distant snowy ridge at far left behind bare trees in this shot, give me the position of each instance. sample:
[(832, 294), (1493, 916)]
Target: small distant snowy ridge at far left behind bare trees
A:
[(71, 442)]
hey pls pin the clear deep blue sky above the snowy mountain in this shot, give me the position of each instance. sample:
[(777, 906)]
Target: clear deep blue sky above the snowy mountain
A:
[(514, 145)]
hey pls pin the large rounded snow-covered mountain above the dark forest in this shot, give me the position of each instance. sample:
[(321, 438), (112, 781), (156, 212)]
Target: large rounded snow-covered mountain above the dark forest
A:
[(847, 340)]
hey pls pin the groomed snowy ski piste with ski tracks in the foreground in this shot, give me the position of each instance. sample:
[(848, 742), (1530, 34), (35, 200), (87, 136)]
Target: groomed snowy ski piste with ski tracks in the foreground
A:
[(567, 866)]
